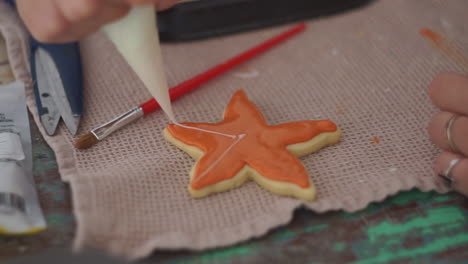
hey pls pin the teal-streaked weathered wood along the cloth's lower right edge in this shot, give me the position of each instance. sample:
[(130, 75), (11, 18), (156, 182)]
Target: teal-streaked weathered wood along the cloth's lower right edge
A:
[(412, 226)]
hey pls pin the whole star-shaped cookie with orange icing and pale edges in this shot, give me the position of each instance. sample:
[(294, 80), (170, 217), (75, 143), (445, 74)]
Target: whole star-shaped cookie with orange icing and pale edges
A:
[(243, 146)]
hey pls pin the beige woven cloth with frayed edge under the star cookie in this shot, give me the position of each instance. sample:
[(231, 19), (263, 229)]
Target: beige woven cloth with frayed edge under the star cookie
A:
[(366, 70)]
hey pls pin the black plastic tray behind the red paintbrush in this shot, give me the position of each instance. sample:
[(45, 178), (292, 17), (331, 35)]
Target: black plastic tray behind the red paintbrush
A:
[(200, 19)]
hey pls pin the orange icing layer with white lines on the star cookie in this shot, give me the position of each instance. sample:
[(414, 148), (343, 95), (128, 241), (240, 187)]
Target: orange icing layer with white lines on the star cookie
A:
[(263, 147)]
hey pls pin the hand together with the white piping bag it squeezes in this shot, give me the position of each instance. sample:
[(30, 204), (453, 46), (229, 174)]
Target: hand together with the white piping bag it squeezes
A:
[(129, 24)]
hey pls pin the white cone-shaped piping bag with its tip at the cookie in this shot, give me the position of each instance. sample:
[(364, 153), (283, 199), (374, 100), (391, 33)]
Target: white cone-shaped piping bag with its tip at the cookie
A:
[(136, 38)]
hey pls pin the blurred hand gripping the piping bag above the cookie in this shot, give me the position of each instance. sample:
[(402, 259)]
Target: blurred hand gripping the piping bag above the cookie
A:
[(58, 21)]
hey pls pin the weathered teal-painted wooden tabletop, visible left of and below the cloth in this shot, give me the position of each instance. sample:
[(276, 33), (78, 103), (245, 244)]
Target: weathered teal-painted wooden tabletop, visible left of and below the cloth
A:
[(411, 227)]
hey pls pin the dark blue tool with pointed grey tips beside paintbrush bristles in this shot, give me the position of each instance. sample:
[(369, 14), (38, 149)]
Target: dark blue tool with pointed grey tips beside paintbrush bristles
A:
[(58, 83)]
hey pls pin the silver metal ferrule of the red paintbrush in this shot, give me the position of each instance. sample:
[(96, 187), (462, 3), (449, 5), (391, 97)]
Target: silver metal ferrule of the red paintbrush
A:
[(117, 123)]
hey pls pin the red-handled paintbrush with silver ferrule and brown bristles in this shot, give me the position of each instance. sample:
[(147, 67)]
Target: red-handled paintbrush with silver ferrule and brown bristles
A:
[(99, 133)]
